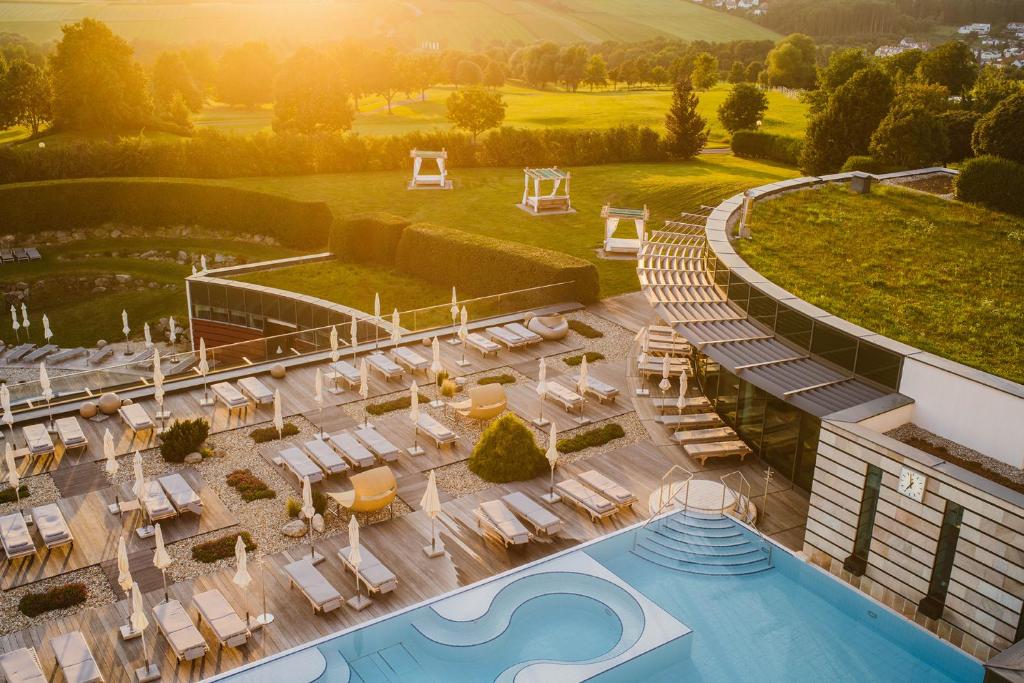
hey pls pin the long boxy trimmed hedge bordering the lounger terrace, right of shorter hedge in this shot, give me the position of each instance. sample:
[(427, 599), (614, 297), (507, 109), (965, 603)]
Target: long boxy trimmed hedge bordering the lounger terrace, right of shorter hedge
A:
[(486, 266)]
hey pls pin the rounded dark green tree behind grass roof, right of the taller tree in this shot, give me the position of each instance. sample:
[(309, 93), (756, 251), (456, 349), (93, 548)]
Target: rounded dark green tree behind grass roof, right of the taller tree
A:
[(911, 137)]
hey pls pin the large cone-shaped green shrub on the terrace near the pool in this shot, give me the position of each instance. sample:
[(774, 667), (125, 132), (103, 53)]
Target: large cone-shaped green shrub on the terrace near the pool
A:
[(507, 452)]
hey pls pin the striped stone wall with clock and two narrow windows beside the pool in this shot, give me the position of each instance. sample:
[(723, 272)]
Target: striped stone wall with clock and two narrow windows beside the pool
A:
[(987, 588)]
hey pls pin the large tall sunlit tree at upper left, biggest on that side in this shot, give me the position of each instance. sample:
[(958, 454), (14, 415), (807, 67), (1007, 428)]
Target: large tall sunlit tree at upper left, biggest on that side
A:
[(98, 84)]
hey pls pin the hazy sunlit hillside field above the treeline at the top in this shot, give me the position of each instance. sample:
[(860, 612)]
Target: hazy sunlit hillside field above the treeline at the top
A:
[(459, 24)]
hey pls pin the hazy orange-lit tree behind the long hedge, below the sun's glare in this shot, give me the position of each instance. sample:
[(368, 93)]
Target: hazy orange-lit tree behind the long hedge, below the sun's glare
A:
[(311, 96)]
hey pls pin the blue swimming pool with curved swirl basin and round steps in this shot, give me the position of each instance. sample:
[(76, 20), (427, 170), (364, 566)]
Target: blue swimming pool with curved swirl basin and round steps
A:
[(606, 613)]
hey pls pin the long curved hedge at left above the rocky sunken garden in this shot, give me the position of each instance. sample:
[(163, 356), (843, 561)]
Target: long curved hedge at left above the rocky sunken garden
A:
[(82, 204)]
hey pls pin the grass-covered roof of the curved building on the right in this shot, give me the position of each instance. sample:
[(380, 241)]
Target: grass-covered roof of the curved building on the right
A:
[(945, 277)]
